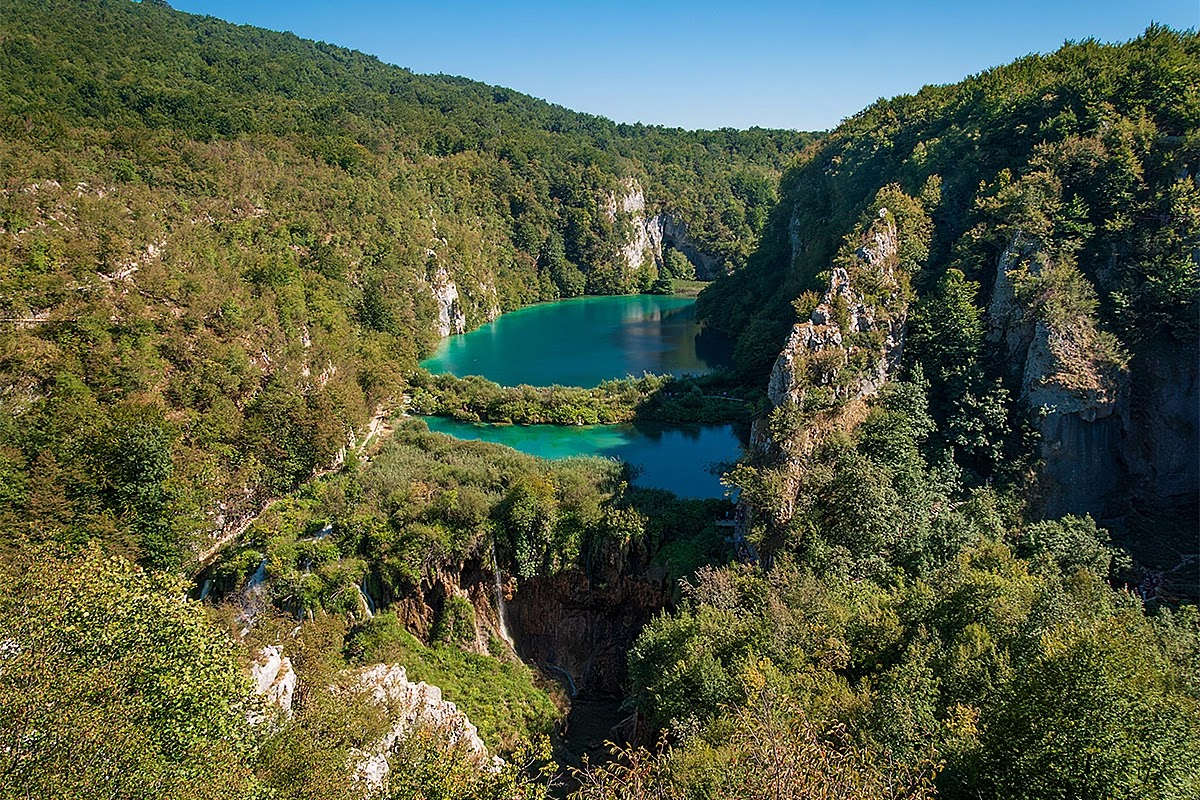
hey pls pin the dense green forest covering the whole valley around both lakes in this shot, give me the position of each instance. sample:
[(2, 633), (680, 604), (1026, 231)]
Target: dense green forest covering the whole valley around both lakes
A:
[(967, 326)]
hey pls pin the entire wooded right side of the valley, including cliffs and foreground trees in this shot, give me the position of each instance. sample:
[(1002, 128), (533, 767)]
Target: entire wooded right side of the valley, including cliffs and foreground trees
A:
[(976, 312)]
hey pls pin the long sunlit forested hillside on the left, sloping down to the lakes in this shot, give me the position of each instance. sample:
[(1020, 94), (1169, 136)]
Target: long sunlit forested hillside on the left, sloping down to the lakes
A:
[(225, 246)]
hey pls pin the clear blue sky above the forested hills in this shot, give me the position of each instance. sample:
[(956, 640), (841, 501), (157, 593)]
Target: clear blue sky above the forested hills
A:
[(703, 64)]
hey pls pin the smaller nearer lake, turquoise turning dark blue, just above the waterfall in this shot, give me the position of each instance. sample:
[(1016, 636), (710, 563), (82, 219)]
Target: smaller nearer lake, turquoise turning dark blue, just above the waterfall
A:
[(681, 460)]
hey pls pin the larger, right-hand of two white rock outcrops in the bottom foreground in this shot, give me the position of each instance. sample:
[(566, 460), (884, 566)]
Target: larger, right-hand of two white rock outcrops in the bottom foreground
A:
[(413, 706)]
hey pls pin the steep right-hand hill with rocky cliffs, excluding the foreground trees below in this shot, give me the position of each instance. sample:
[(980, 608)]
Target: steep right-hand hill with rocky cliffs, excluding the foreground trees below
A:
[(1047, 220)]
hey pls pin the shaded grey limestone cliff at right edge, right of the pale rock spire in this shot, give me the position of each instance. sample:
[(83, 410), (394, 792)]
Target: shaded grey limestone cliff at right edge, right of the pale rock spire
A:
[(1113, 429)]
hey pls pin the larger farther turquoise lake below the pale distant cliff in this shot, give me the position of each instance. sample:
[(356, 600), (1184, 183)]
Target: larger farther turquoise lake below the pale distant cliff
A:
[(586, 341)]
